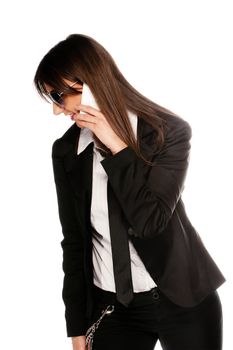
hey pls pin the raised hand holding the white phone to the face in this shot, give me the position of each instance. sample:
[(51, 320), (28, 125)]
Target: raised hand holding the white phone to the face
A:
[(98, 124)]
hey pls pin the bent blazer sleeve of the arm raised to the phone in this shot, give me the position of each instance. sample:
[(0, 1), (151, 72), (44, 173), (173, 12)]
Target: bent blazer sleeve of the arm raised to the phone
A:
[(148, 194)]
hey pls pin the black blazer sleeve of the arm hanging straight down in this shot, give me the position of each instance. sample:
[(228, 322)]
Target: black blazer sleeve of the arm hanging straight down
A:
[(73, 292)]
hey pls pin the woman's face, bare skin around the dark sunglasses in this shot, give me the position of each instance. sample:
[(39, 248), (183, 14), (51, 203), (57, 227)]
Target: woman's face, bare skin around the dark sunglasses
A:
[(70, 101)]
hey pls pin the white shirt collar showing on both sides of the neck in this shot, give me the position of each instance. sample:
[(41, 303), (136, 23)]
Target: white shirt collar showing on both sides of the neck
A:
[(86, 135)]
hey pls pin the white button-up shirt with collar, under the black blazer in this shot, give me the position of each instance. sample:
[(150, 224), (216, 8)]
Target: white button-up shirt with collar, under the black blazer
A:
[(101, 249)]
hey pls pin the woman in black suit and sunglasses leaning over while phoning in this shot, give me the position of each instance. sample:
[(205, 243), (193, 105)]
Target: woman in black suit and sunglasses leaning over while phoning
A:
[(135, 269)]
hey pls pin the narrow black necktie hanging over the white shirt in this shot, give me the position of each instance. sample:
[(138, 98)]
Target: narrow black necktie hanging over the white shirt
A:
[(120, 249)]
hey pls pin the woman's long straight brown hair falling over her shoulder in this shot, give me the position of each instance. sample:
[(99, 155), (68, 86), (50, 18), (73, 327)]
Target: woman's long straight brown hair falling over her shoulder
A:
[(80, 57)]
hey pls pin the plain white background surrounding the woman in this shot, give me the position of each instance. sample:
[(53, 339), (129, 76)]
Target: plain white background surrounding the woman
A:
[(179, 54)]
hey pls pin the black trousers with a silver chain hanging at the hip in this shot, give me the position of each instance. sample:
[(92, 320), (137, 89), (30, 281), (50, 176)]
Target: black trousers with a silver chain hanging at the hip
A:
[(152, 317)]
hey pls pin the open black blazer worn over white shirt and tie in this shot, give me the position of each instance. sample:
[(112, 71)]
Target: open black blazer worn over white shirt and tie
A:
[(151, 213)]
